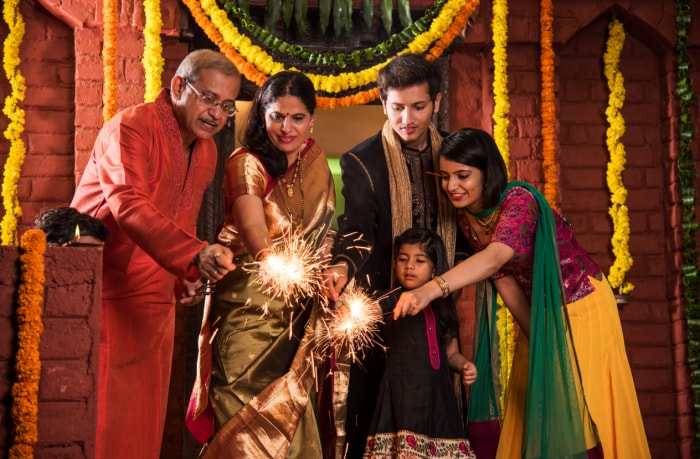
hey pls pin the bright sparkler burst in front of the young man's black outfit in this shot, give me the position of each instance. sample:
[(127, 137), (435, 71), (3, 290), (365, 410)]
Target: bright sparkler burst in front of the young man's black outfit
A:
[(353, 326)]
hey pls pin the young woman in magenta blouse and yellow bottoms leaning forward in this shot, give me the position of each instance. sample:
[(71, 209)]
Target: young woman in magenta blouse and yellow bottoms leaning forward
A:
[(574, 330)]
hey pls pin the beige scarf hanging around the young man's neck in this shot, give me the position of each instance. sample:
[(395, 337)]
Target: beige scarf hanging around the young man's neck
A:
[(401, 202)]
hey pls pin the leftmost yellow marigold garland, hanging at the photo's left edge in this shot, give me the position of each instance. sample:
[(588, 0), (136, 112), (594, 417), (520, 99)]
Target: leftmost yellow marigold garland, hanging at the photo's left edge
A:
[(15, 127)]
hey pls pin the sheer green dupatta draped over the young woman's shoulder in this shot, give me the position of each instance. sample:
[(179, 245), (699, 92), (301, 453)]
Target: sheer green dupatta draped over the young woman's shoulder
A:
[(555, 409)]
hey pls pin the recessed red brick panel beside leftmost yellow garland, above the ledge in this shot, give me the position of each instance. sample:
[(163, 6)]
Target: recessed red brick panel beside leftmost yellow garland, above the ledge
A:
[(48, 66)]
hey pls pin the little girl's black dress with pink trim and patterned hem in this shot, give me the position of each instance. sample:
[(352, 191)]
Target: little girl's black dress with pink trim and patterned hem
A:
[(417, 414)]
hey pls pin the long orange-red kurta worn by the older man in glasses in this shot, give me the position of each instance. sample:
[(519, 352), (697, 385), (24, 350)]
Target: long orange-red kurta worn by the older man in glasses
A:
[(139, 183)]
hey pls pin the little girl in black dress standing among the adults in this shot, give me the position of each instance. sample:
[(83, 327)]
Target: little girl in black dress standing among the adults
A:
[(417, 414)]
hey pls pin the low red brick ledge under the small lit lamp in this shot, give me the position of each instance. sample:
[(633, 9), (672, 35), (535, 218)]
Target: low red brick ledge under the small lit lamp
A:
[(69, 344)]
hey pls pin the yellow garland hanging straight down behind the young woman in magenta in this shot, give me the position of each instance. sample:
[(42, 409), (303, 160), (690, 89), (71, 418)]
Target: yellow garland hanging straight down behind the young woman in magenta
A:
[(499, 24)]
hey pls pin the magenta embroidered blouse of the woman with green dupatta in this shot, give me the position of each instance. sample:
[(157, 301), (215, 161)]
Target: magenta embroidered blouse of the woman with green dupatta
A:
[(516, 228)]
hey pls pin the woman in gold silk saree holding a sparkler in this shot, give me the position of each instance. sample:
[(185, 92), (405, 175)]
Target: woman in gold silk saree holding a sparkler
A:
[(262, 375)]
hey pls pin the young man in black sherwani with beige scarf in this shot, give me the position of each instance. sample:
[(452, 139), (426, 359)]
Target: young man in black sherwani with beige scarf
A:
[(389, 185)]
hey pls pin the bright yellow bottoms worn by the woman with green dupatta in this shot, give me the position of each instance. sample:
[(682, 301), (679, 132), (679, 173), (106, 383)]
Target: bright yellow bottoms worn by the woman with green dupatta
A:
[(606, 376)]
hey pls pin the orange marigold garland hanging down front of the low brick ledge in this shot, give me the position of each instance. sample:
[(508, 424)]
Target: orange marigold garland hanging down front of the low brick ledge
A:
[(25, 403)]
